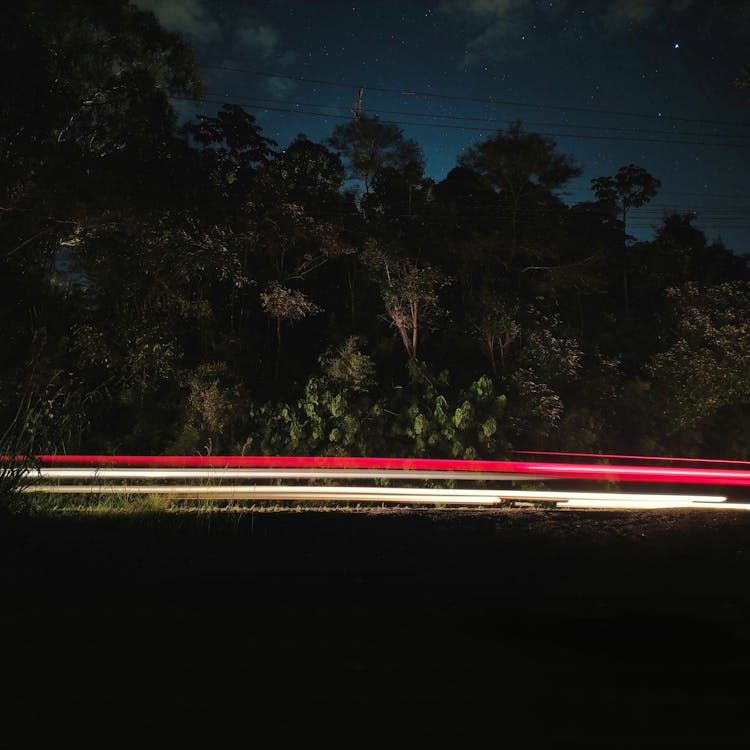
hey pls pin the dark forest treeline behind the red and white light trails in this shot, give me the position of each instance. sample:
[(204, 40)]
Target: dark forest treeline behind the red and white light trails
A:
[(192, 287)]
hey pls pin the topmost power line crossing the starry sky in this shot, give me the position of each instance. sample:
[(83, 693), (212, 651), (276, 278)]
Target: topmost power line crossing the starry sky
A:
[(479, 100)]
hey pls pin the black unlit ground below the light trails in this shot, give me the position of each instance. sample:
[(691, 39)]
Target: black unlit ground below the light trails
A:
[(605, 626)]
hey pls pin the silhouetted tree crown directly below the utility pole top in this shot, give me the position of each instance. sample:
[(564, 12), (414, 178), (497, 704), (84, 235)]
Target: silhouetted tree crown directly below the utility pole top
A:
[(369, 145)]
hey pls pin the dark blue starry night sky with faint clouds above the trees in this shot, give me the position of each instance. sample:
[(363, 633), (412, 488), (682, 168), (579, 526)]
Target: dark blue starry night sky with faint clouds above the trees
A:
[(615, 82)]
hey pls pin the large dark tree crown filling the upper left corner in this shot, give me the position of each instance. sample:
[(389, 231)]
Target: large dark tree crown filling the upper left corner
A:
[(93, 102)]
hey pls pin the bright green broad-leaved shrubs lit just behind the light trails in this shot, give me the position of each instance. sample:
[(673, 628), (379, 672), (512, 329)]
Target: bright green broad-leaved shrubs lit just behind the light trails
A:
[(339, 416)]
